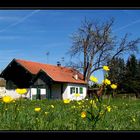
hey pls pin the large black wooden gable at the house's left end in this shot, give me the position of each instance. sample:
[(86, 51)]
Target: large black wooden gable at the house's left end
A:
[(17, 76)]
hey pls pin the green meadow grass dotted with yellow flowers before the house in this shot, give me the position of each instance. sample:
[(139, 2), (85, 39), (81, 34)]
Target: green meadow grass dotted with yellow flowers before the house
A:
[(20, 115)]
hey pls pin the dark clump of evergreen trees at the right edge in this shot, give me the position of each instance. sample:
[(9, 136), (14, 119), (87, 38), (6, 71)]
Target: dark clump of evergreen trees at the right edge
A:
[(127, 76)]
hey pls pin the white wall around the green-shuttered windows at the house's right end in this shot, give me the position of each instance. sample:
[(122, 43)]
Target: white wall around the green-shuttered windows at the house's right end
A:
[(68, 95)]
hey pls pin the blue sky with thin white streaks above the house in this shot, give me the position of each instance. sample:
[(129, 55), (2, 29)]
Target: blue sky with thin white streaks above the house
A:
[(30, 34)]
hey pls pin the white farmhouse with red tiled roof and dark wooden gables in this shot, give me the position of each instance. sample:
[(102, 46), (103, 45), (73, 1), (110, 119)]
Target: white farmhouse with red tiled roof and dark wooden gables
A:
[(43, 80)]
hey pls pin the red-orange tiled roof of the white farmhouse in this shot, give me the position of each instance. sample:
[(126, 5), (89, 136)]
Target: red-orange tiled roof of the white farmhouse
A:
[(57, 73)]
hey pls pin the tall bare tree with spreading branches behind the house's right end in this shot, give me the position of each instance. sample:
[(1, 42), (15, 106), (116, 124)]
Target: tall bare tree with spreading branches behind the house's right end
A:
[(97, 45)]
